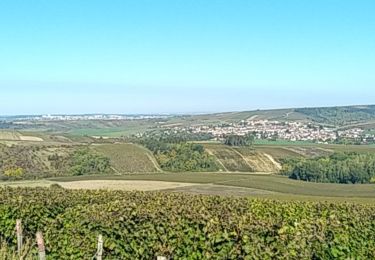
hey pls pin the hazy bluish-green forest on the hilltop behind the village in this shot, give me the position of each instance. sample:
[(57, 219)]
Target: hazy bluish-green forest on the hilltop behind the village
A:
[(339, 116)]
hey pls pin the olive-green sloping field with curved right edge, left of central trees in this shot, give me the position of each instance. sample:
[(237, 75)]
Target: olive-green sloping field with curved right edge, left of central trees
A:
[(128, 158)]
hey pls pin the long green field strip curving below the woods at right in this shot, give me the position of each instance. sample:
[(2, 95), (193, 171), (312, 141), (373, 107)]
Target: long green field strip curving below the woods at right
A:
[(278, 184)]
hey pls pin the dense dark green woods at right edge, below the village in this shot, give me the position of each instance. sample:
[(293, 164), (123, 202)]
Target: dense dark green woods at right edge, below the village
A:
[(336, 168)]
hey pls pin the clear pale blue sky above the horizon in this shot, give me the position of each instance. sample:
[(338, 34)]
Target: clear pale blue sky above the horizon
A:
[(159, 56)]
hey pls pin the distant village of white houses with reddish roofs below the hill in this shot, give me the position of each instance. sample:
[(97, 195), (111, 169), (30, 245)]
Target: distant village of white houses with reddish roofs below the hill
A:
[(275, 130)]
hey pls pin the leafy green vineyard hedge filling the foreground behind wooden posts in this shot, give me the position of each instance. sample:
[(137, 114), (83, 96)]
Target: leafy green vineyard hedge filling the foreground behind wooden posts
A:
[(138, 225)]
